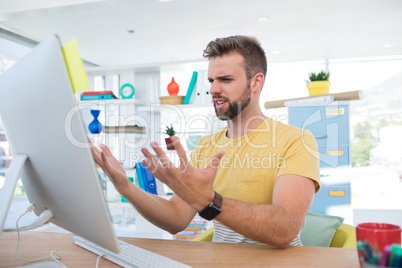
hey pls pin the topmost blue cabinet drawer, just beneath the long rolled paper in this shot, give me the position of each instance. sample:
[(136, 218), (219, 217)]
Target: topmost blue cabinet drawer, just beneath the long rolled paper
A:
[(328, 124)]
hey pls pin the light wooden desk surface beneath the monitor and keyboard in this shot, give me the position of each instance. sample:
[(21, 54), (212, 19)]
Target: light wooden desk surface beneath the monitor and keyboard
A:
[(197, 254)]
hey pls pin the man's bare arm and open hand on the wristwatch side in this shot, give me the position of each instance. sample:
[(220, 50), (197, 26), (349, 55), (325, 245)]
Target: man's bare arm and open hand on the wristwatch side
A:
[(276, 224)]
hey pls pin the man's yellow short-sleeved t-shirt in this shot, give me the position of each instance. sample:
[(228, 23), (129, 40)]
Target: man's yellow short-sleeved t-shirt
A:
[(251, 163)]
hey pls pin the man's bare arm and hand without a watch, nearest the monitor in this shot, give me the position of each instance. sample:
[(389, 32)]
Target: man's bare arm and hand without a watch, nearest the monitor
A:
[(172, 215)]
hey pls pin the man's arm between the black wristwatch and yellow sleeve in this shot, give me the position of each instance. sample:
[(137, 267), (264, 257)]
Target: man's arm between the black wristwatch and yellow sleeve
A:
[(276, 224)]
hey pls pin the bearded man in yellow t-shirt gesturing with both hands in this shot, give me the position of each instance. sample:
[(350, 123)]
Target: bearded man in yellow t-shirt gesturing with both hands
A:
[(256, 178)]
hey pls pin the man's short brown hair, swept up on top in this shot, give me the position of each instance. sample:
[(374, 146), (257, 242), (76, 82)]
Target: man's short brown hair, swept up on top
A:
[(249, 47)]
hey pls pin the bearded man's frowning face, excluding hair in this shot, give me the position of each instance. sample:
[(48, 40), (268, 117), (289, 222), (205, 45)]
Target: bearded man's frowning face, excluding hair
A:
[(230, 89)]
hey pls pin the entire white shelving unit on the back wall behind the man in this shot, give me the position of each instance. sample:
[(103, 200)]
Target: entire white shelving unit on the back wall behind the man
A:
[(145, 110)]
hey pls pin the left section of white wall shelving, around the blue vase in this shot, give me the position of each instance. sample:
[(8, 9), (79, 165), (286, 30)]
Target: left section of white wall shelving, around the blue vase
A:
[(125, 112)]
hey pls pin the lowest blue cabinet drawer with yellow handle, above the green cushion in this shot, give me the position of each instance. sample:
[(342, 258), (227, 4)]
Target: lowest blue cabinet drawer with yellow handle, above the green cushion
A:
[(328, 197)]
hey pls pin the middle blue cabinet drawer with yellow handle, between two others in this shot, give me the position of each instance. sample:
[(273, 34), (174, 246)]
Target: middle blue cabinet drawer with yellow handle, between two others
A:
[(333, 156)]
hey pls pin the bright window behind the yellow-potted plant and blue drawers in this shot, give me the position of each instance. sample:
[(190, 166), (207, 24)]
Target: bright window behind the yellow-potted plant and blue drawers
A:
[(375, 121)]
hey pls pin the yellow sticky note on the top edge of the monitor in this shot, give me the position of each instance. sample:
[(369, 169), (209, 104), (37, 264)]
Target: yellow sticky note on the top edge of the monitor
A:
[(75, 66)]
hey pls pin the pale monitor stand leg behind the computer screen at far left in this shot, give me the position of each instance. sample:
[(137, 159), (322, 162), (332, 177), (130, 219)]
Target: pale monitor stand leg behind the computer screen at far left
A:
[(7, 192)]
